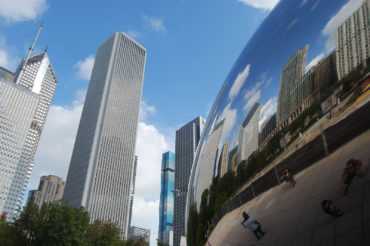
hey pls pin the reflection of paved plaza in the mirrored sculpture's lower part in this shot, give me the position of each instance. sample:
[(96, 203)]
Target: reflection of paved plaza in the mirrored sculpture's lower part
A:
[(293, 216)]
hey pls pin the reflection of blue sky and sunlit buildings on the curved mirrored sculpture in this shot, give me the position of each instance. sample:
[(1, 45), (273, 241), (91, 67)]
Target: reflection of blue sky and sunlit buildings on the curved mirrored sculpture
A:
[(292, 57)]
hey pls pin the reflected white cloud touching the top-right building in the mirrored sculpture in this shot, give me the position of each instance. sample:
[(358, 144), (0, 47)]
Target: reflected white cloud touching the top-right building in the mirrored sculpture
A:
[(336, 20)]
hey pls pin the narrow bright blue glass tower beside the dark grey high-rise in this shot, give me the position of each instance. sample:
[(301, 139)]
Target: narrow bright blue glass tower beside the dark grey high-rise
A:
[(166, 199)]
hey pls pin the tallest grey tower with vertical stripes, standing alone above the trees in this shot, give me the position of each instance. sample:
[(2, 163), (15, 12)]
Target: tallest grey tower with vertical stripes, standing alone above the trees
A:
[(100, 173)]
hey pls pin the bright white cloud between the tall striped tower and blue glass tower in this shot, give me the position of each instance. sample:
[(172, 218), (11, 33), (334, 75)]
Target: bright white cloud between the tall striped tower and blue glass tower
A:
[(150, 145)]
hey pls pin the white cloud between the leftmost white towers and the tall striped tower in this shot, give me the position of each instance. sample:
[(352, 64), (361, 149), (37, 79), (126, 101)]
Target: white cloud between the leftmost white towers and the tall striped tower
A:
[(55, 148)]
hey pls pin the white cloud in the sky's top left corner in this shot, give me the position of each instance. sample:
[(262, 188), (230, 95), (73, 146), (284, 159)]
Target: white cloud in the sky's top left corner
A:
[(21, 10)]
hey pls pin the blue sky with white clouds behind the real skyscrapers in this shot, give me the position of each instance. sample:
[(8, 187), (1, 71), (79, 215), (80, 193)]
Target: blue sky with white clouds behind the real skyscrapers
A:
[(191, 47)]
